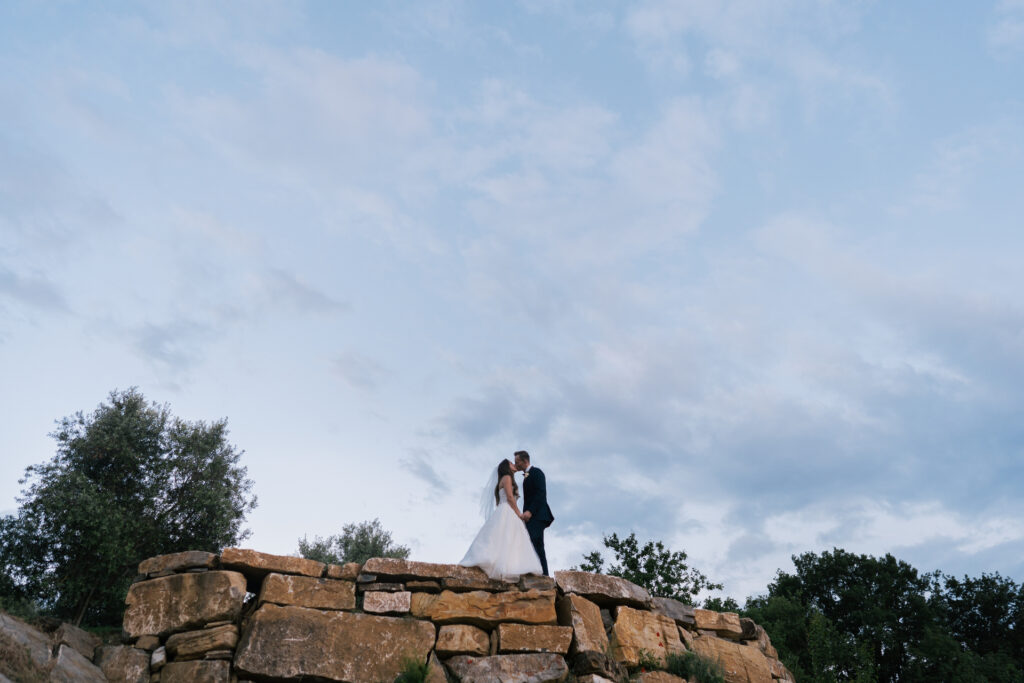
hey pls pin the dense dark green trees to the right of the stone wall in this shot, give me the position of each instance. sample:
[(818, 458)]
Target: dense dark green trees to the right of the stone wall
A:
[(856, 618)]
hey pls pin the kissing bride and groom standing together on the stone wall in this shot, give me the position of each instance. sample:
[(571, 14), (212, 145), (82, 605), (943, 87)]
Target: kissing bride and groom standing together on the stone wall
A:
[(511, 543)]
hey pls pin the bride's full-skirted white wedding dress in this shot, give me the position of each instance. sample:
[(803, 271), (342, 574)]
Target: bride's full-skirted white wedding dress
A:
[(502, 547)]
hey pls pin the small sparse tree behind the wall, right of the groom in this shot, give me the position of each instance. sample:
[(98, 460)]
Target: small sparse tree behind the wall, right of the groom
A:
[(654, 567)]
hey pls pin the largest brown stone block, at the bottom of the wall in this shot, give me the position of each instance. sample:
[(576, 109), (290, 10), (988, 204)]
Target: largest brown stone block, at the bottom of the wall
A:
[(292, 644)]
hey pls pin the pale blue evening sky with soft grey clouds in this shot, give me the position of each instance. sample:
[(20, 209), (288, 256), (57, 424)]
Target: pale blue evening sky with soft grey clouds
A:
[(743, 277)]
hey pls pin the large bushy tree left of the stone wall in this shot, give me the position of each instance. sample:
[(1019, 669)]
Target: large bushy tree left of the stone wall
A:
[(129, 482)]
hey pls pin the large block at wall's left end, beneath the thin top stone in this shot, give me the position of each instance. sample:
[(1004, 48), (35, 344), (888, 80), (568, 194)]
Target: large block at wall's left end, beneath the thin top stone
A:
[(183, 602)]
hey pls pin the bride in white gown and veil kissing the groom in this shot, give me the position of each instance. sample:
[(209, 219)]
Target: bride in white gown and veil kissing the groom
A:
[(502, 547)]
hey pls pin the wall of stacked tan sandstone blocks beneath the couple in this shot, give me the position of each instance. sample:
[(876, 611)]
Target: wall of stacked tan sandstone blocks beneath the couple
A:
[(245, 616)]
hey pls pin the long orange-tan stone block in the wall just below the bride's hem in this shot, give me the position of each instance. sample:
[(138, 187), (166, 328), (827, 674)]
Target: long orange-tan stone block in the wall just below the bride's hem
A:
[(486, 610)]
